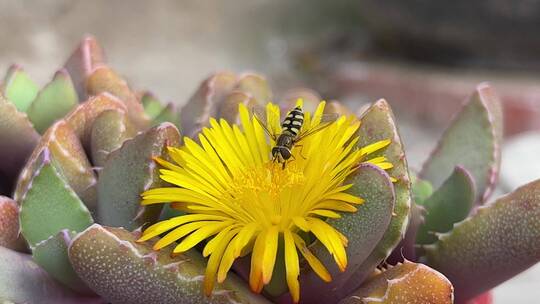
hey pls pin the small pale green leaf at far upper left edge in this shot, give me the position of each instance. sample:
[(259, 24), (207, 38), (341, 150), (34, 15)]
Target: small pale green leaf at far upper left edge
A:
[(19, 88)]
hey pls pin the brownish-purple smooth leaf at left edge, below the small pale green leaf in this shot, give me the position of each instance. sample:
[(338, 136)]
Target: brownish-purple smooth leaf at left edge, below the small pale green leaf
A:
[(17, 139)]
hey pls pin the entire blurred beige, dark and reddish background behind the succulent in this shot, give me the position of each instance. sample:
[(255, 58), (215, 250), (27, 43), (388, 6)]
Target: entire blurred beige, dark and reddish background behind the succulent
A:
[(424, 57)]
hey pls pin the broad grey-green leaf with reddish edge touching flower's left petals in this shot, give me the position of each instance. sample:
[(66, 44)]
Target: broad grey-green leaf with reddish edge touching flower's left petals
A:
[(129, 171)]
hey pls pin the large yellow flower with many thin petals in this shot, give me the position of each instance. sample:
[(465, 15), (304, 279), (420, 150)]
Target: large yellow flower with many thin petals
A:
[(242, 202)]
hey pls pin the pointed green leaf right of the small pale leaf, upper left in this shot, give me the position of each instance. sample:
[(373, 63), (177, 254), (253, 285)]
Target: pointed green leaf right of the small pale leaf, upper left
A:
[(53, 102)]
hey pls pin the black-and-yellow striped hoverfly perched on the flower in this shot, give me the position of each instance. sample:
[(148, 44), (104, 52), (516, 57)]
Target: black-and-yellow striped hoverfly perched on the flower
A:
[(291, 132)]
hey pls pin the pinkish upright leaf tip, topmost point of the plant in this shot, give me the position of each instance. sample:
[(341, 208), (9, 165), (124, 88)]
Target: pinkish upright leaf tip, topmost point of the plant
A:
[(82, 63)]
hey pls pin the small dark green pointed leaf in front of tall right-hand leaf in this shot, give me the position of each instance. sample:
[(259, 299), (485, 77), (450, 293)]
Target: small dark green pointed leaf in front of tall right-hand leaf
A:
[(449, 204)]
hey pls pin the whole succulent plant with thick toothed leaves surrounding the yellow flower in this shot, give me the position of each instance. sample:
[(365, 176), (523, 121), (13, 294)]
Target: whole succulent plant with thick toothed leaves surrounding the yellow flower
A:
[(77, 154)]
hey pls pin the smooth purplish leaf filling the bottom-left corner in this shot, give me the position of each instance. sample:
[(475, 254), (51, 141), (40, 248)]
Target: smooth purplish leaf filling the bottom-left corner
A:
[(23, 281)]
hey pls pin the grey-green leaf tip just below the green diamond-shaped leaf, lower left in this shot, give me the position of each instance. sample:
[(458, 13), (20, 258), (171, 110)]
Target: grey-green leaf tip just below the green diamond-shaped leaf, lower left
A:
[(51, 255)]
